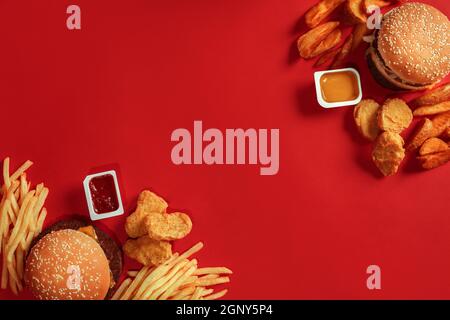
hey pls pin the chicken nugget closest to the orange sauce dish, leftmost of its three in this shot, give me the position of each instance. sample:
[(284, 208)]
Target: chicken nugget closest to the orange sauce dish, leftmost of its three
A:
[(365, 115)]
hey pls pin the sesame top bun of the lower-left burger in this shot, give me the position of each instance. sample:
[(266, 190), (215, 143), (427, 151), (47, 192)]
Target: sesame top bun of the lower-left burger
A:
[(67, 265)]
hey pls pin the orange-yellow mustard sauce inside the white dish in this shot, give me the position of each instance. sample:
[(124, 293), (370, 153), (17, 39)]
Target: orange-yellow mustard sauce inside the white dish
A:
[(339, 86)]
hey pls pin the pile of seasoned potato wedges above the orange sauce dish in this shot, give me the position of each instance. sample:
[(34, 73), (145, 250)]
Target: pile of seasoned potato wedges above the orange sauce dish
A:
[(323, 40)]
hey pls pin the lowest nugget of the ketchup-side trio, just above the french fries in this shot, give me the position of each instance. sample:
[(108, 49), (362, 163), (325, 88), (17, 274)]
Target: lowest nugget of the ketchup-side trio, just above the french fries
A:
[(148, 251)]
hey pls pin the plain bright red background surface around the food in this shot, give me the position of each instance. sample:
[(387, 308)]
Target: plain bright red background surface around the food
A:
[(111, 94)]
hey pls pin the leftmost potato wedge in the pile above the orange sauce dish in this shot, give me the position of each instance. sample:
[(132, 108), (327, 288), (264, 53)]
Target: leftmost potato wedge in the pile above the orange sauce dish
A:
[(308, 42)]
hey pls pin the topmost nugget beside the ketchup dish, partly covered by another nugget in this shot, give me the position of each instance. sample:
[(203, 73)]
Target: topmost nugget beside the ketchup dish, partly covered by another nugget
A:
[(148, 202)]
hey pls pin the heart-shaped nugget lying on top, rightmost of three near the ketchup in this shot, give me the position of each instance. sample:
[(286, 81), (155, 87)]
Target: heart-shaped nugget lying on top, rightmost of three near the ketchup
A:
[(164, 226)]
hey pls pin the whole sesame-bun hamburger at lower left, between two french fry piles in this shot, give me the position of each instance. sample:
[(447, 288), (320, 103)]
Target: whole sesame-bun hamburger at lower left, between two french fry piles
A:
[(73, 260)]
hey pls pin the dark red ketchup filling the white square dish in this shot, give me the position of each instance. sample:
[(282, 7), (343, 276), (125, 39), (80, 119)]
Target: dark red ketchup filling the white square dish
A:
[(104, 194)]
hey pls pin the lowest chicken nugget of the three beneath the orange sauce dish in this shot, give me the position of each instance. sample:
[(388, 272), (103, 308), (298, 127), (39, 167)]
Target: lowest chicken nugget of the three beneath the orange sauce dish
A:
[(388, 152)]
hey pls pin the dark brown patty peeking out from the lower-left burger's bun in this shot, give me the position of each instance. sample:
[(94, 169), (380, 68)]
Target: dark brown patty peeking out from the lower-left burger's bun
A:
[(112, 250)]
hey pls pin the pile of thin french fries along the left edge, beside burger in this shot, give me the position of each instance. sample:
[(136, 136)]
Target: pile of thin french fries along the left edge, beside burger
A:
[(22, 216)]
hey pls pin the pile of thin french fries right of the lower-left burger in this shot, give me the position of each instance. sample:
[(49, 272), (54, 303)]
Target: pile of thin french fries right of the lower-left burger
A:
[(177, 279)]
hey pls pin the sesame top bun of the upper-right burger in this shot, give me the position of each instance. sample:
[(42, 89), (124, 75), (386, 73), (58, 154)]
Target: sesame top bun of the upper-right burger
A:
[(414, 42)]
